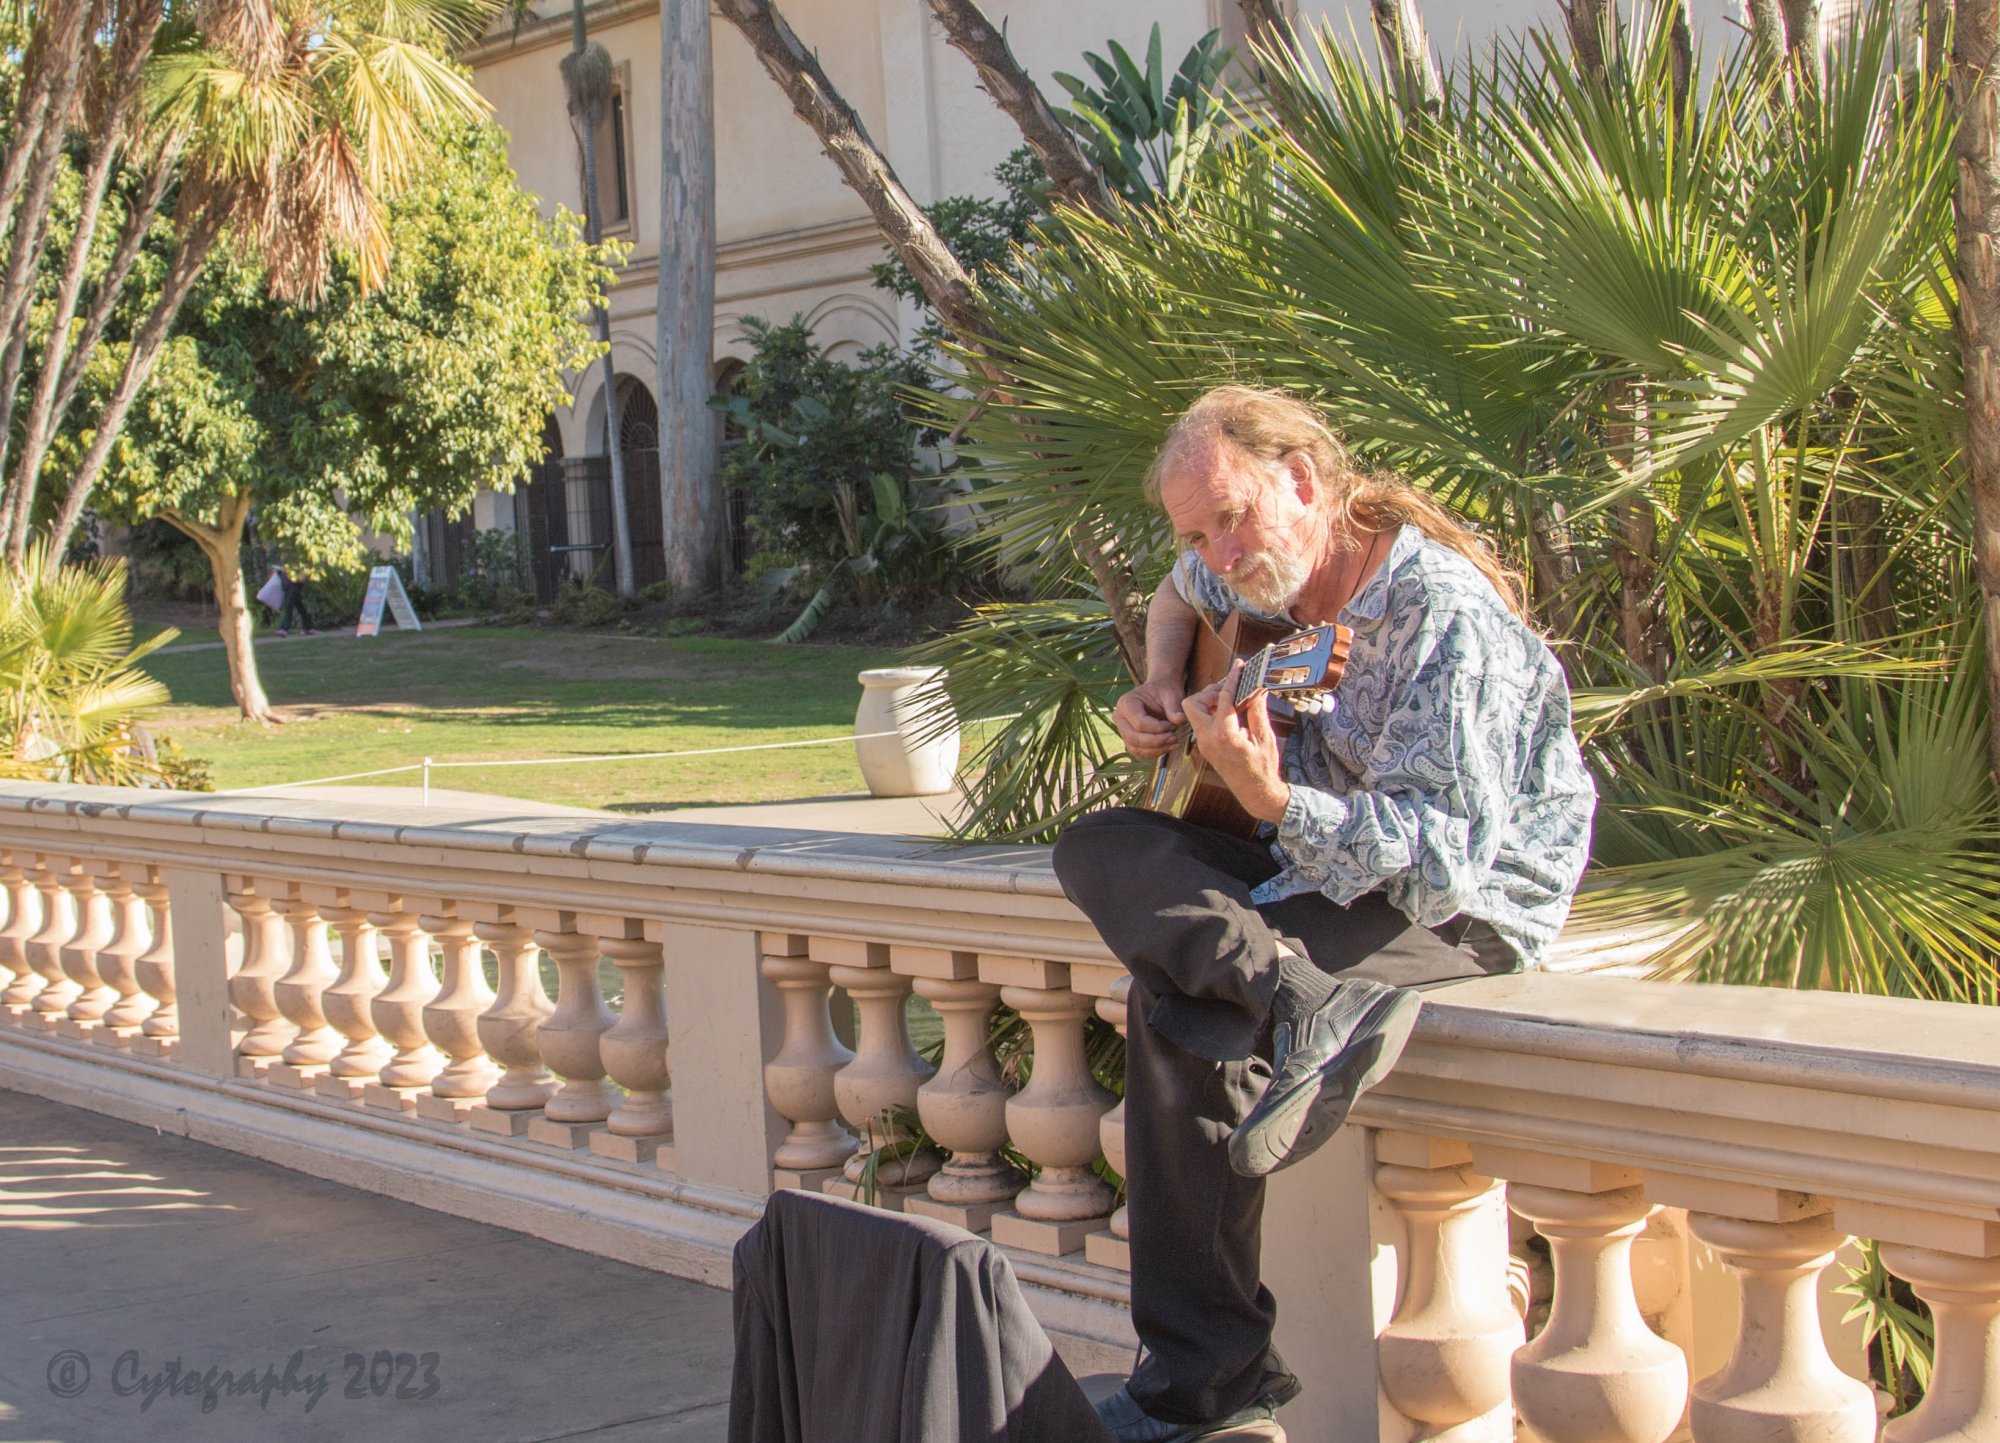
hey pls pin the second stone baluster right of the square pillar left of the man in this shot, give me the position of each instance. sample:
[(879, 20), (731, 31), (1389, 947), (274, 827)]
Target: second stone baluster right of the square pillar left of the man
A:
[(883, 1078)]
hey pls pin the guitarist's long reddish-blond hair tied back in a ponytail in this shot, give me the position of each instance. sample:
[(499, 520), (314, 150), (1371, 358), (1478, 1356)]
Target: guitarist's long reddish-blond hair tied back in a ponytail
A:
[(1269, 427)]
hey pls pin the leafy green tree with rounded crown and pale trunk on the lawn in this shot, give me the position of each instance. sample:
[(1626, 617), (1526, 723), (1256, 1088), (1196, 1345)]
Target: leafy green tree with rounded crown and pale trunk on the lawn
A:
[(369, 405)]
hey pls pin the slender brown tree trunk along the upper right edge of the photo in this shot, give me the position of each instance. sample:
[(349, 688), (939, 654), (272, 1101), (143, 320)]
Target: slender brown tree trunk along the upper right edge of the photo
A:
[(1977, 91)]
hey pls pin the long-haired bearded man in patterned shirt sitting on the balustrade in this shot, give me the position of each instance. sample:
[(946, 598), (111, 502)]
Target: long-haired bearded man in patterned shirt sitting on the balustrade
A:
[(1431, 826)]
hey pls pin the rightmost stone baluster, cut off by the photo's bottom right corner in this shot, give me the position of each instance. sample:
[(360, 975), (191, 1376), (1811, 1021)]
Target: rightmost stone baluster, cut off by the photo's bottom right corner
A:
[(1963, 1404)]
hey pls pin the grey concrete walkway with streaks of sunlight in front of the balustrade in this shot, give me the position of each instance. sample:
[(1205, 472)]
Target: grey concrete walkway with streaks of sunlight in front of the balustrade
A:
[(133, 1262)]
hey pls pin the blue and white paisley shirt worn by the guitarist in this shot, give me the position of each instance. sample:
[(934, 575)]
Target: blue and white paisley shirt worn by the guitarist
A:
[(1447, 774)]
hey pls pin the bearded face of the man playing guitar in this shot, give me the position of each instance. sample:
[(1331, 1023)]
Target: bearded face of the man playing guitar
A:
[(1249, 529)]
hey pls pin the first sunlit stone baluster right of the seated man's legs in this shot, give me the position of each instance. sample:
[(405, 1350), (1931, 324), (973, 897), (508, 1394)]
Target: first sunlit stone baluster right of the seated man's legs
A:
[(1445, 1356)]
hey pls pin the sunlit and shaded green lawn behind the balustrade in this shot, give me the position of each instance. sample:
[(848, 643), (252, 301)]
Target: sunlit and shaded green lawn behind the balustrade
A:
[(479, 695)]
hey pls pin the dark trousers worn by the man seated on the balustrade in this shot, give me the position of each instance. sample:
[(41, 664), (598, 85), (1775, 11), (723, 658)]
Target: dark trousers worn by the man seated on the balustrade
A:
[(1173, 902)]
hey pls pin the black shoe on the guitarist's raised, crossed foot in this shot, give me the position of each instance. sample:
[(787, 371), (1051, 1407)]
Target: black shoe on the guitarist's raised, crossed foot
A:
[(1321, 1064)]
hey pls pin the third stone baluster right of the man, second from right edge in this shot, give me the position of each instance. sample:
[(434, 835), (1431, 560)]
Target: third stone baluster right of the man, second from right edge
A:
[(1779, 1386)]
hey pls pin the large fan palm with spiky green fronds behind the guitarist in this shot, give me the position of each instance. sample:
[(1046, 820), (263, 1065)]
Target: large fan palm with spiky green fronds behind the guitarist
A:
[(1679, 339)]
